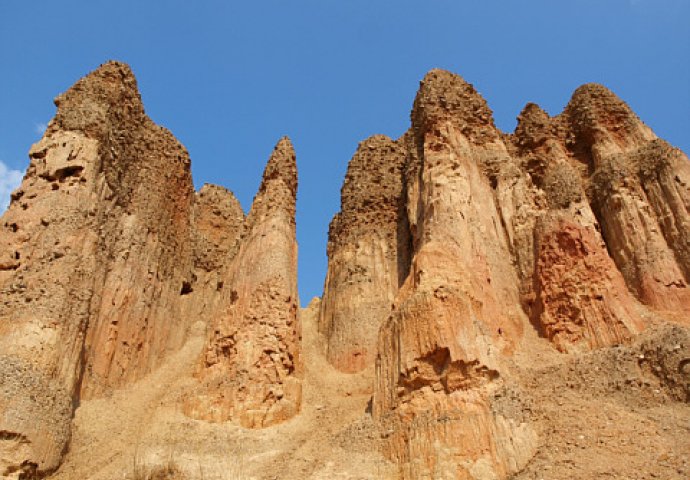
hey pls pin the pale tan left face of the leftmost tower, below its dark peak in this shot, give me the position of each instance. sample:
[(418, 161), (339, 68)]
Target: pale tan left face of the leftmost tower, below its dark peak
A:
[(45, 279)]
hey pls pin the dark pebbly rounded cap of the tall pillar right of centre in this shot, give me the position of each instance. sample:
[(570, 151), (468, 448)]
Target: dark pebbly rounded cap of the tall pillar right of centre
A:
[(444, 96)]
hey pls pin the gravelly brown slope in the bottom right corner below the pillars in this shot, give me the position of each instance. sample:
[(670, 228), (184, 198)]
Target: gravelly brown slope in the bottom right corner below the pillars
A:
[(611, 413)]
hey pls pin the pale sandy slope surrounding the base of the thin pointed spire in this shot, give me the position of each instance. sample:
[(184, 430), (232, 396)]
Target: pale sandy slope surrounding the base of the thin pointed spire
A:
[(332, 437)]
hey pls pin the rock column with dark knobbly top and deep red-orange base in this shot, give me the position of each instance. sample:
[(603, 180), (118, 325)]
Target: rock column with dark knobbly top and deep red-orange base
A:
[(581, 300)]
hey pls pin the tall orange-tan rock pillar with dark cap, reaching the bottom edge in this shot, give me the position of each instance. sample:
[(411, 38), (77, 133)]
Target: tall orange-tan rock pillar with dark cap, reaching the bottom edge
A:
[(458, 313)]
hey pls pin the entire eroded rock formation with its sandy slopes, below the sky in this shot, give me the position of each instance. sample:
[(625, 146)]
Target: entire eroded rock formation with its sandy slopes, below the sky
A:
[(490, 295)]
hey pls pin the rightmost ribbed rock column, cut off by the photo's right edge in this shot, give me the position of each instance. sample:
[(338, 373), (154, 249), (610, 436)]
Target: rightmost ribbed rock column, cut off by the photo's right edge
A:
[(641, 195)]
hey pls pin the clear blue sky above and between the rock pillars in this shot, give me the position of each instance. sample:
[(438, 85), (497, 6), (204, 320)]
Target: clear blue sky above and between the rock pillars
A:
[(230, 78)]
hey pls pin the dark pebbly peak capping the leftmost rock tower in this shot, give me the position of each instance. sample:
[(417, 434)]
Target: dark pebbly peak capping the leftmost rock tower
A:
[(105, 96)]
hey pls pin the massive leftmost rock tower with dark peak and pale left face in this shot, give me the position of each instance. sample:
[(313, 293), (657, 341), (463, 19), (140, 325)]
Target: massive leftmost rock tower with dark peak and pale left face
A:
[(94, 249)]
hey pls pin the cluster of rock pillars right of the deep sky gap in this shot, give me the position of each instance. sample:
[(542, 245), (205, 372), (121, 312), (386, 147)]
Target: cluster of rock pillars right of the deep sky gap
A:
[(573, 226)]
